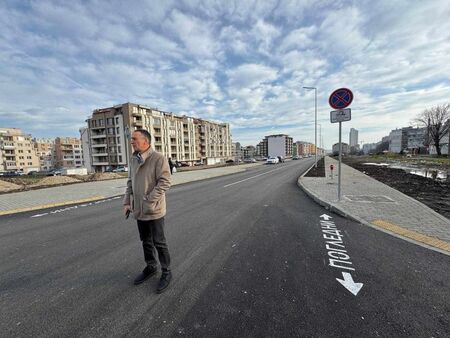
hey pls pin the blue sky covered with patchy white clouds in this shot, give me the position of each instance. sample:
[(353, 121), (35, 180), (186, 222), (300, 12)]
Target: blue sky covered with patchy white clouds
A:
[(243, 62)]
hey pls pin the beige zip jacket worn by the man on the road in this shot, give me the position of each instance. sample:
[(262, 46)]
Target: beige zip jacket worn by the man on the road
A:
[(147, 184)]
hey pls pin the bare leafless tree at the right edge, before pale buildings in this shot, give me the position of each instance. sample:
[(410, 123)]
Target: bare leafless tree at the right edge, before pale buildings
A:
[(437, 121)]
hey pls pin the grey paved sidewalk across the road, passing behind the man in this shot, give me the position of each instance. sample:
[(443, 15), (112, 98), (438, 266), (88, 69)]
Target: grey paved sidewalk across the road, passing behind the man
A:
[(91, 191)]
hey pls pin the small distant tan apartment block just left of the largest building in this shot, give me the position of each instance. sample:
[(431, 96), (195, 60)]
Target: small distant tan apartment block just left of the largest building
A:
[(68, 153)]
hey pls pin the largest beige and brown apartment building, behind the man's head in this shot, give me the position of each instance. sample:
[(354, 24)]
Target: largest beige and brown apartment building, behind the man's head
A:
[(181, 138)]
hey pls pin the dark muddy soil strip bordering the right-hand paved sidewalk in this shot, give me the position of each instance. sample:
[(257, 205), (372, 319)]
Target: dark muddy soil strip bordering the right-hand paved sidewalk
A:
[(433, 193)]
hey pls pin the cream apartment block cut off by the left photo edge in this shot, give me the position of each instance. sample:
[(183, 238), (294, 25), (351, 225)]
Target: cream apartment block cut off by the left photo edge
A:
[(17, 152)]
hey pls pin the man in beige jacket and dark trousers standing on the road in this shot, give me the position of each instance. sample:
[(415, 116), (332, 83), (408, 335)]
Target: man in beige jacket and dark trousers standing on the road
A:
[(148, 180)]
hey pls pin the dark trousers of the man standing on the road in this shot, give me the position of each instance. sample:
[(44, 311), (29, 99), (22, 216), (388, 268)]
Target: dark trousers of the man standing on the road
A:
[(152, 237)]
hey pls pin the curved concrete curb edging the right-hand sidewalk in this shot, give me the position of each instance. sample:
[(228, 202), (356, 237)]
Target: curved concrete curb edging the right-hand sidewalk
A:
[(336, 209)]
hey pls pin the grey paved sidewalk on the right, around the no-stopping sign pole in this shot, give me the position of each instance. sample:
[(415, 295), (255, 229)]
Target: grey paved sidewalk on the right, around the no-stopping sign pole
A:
[(375, 204)]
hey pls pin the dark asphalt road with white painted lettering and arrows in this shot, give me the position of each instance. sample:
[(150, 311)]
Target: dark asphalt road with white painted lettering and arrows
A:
[(251, 257)]
